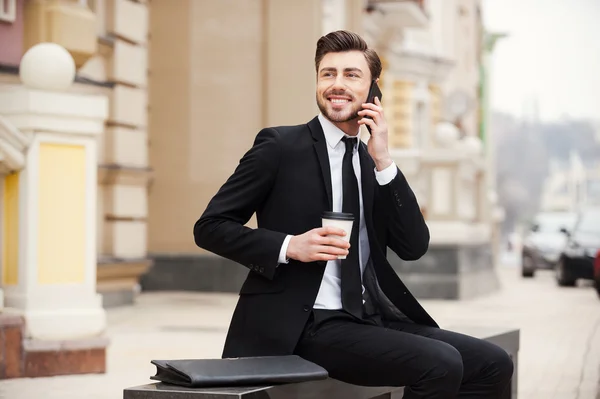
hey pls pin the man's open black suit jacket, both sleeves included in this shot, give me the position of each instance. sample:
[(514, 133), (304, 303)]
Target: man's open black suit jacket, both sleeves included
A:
[(285, 178)]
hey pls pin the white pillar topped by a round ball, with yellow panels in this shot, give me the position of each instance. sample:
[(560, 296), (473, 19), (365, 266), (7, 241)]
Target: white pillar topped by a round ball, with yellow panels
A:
[(49, 220)]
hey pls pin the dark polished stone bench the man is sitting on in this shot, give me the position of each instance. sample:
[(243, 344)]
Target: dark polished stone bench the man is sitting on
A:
[(506, 338)]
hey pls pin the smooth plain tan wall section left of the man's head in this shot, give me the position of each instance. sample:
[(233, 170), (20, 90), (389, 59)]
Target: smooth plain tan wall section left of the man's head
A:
[(236, 72)]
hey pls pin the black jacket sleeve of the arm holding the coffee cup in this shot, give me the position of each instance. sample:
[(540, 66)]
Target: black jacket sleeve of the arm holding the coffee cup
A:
[(221, 228)]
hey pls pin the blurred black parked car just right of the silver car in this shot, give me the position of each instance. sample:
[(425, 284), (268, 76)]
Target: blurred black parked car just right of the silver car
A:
[(577, 259)]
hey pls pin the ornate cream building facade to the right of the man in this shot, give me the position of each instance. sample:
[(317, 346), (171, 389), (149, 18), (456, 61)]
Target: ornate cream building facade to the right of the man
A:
[(435, 94)]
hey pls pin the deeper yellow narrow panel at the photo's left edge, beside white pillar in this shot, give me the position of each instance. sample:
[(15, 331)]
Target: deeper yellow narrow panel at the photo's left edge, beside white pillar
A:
[(10, 230)]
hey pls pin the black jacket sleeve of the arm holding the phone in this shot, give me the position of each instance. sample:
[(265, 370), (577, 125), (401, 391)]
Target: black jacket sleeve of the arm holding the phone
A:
[(407, 232)]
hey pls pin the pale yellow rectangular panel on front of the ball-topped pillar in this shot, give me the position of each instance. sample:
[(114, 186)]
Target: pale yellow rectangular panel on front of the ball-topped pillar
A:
[(62, 216)]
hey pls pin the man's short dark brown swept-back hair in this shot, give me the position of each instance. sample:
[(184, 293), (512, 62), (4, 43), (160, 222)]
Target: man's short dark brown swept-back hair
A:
[(343, 40)]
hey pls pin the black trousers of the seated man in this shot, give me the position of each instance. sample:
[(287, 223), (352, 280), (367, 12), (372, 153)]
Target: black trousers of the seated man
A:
[(430, 362)]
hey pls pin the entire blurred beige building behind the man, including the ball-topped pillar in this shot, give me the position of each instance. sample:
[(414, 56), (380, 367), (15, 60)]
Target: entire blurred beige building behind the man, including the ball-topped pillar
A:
[(104, 178)]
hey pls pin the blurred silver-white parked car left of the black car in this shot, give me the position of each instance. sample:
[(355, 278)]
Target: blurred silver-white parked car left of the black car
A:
[(545, 240)]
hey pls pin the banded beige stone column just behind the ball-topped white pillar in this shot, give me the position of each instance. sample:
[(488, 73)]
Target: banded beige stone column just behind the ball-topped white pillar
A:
[(124, 172)]
